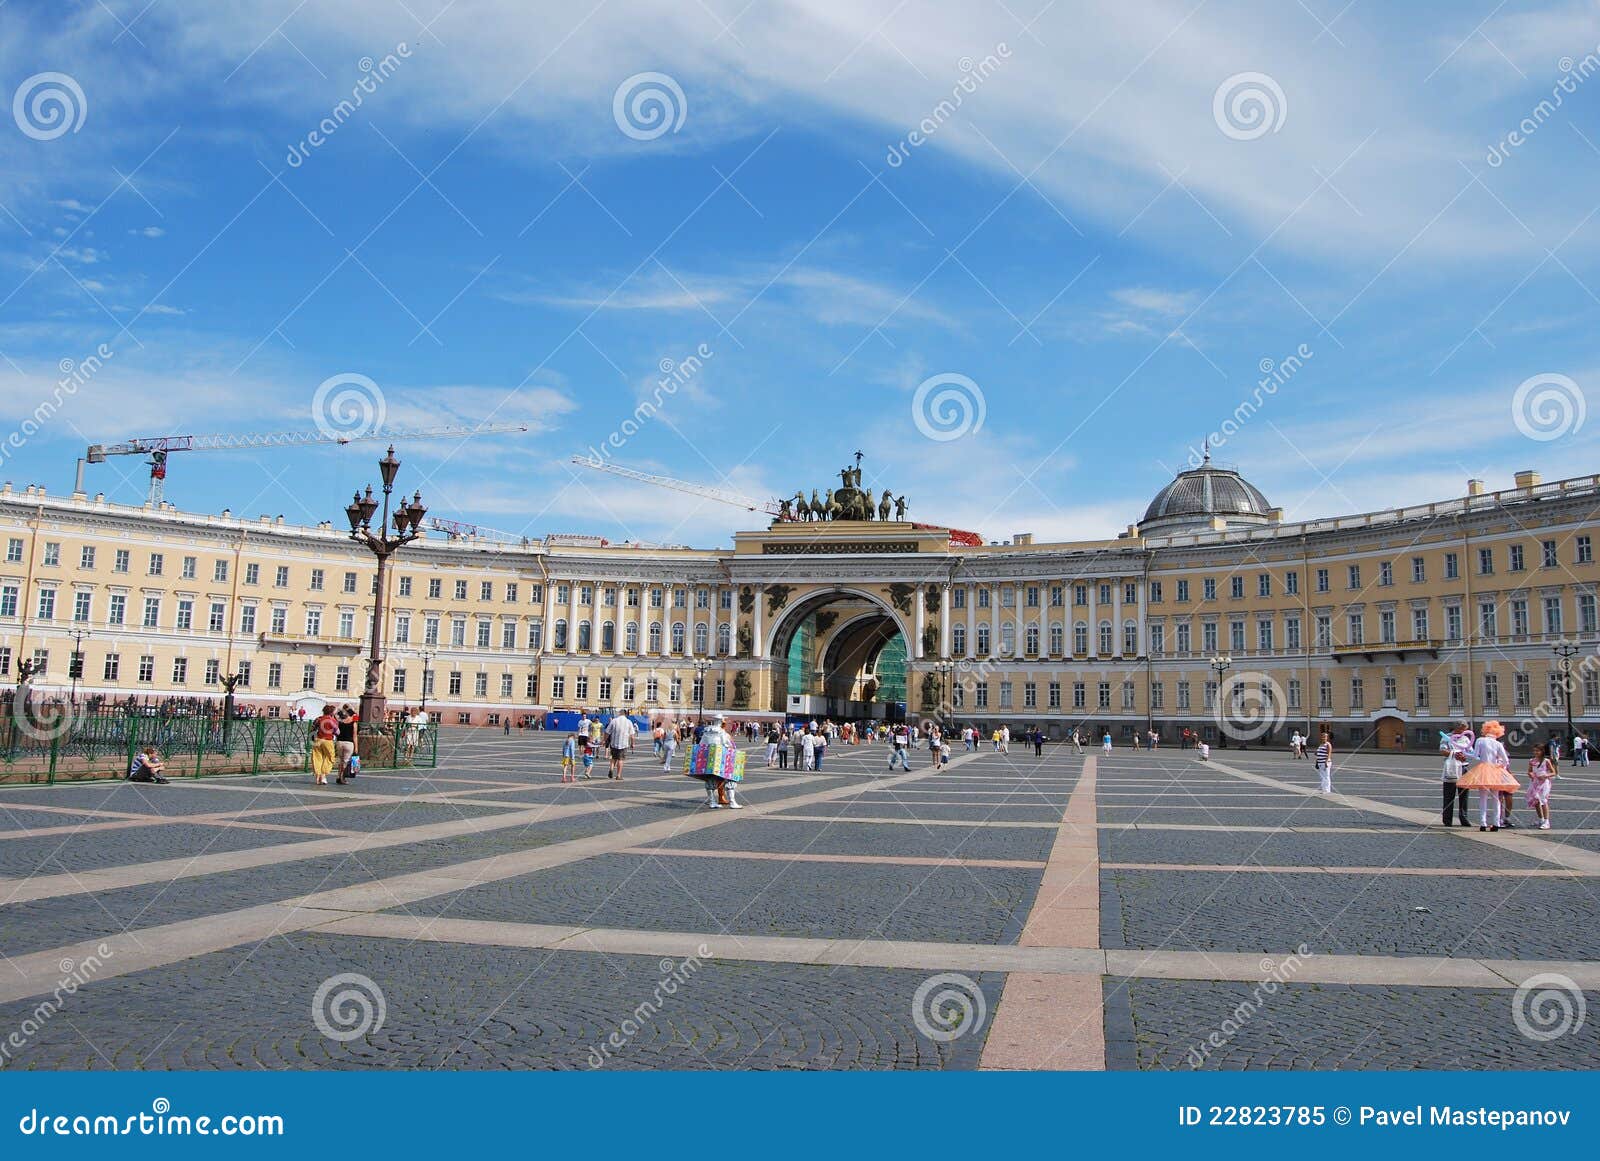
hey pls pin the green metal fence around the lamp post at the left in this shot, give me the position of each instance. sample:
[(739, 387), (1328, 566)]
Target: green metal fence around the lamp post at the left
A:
[(63, 748)]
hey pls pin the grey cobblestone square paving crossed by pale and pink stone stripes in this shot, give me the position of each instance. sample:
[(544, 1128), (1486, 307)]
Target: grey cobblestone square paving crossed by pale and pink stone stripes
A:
[(521, 924)]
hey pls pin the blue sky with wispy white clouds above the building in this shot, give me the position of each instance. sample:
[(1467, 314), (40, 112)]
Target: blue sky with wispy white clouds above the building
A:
[(1098, 239)]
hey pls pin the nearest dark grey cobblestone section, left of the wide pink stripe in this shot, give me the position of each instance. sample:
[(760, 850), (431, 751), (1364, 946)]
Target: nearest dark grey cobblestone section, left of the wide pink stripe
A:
[(550, 1011)]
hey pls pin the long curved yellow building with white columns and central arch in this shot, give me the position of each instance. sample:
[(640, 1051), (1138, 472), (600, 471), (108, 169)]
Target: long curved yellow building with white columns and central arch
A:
[(1385, 626)]
